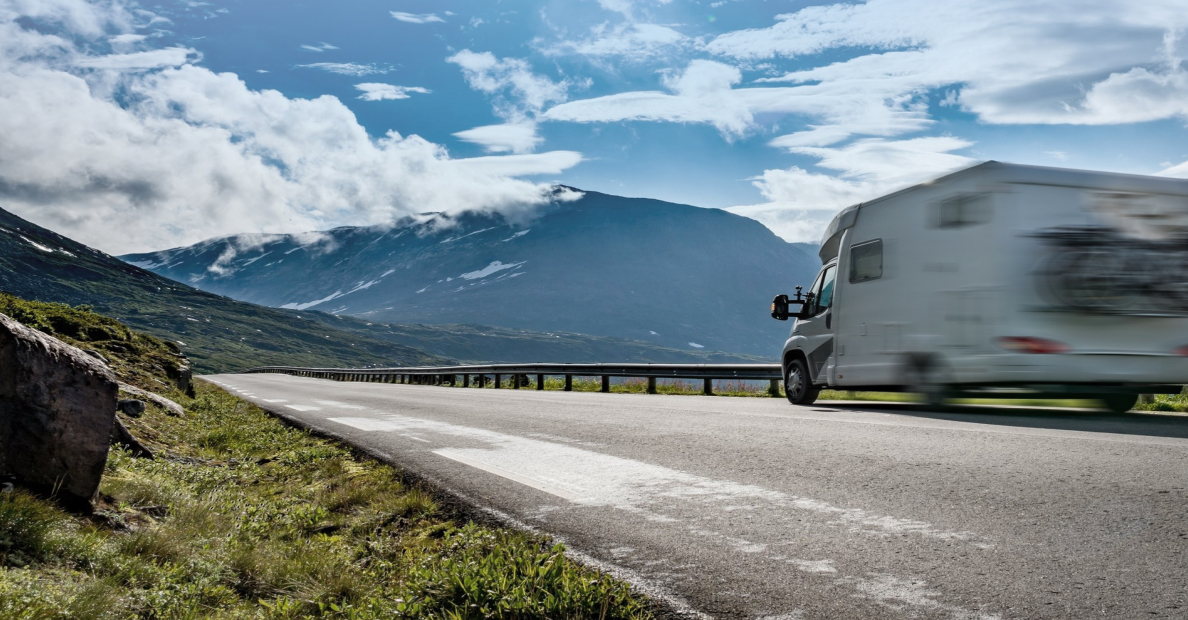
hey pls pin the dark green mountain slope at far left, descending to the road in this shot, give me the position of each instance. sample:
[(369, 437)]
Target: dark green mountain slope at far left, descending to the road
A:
[(218, 334)]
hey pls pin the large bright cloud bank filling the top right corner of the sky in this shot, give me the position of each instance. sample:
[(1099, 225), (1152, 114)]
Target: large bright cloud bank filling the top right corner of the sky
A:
[(1009, 62)]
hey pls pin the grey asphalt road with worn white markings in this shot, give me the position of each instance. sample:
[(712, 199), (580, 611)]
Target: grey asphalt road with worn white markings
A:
[(750, 508)]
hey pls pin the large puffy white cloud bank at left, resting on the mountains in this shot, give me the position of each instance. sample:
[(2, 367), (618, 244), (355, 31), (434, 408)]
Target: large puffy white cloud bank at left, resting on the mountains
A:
[(192, 154)]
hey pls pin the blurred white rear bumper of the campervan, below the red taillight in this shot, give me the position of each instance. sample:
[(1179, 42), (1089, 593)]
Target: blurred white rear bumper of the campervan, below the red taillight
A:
[(1075, 368)]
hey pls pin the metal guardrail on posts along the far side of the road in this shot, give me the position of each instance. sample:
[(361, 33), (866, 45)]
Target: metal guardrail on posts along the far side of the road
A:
[(521, 372)]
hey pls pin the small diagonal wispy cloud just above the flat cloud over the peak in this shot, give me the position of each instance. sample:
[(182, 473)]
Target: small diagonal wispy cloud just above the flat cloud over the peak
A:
[(520, 93)]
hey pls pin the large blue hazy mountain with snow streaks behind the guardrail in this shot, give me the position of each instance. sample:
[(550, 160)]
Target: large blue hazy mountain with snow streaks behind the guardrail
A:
[(671, 275)]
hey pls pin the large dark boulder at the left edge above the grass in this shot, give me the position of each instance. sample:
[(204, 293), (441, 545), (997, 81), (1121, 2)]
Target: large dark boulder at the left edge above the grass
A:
[(58, 410)]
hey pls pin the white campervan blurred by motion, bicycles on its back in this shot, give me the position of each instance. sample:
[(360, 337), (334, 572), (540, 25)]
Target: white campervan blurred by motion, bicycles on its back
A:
[(1001, 280)]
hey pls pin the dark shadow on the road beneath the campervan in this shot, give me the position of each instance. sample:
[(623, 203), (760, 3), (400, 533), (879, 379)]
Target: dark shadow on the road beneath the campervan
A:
[(1135, 423)]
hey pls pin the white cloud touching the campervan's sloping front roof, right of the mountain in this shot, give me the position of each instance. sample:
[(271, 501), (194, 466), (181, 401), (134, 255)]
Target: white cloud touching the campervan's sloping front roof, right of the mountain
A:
[(801, 204)]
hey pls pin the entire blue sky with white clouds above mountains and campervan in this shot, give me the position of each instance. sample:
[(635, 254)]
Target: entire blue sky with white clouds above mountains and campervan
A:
[(144, 126)]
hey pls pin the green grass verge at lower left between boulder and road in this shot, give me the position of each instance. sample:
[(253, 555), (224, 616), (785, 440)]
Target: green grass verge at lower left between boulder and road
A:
[(244, 517)]
